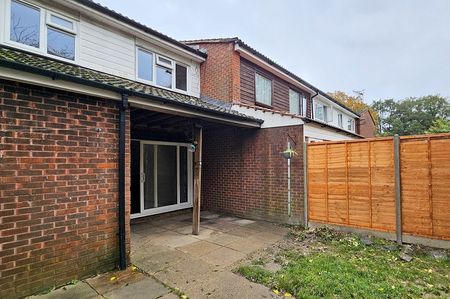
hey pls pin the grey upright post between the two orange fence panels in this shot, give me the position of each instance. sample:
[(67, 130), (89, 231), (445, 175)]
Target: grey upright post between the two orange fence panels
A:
[(398, 190)]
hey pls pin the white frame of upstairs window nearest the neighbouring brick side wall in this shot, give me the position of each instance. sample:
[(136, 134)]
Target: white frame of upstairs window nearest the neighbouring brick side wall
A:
[(158, 62)]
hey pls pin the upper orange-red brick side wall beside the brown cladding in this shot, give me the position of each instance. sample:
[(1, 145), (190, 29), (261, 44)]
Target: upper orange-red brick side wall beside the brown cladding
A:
[(220, 75)]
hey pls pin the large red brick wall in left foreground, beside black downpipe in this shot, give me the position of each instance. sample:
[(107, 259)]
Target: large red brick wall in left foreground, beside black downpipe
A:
[(58, 188)]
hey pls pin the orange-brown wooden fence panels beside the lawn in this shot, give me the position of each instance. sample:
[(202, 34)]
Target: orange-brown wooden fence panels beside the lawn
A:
[(352, 183)]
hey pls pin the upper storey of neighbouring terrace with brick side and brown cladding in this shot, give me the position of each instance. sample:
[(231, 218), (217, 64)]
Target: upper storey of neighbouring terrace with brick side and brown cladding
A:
[(256, 85)]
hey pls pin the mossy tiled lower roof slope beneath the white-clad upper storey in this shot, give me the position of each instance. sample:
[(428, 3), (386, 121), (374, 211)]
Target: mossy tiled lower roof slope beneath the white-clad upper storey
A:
[(45, 66)]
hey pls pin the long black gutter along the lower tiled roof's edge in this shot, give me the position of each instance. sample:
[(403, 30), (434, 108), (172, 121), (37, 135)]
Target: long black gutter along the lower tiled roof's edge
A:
[(58, 76)]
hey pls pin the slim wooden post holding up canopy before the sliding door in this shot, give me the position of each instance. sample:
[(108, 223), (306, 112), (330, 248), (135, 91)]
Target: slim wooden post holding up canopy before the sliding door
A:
[(198, 139)]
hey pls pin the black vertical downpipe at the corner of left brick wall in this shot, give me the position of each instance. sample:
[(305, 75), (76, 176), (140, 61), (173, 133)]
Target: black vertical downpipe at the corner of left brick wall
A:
[(123, 106)]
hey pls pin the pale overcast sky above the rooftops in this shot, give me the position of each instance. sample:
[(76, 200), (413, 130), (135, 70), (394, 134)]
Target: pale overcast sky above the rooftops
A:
[(389, 48)]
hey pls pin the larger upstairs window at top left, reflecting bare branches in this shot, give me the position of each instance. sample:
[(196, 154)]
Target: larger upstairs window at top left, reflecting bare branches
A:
[(56, 36)]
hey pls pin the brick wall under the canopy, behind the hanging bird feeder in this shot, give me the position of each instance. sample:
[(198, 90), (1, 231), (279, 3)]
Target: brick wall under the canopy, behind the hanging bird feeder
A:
[(244, 173)]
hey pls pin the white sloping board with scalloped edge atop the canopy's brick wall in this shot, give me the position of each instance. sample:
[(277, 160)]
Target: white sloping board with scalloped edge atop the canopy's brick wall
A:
[(271, 119)]
